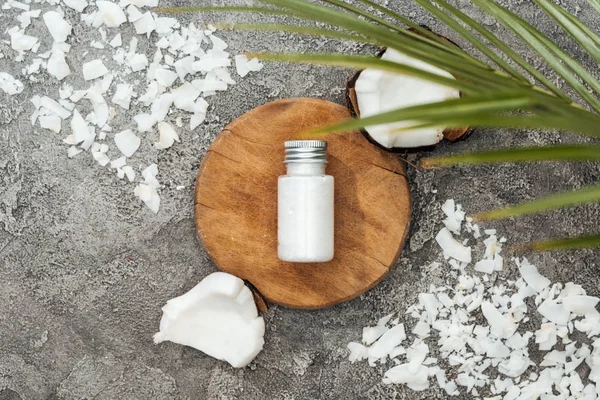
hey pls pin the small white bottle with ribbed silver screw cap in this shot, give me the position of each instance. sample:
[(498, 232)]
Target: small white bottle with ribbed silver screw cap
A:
[(305, 204)]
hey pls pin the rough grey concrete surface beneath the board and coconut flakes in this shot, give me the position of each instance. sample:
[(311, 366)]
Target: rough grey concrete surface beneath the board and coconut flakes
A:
[(85, 268)]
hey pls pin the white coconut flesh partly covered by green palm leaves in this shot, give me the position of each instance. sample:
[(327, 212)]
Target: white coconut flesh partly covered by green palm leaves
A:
[(380, 91)]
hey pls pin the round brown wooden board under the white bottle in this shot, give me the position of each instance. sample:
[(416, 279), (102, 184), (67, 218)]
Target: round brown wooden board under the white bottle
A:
[(236, 205)]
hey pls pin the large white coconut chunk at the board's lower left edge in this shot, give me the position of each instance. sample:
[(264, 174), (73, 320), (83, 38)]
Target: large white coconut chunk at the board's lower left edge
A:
[(218, 317)]
